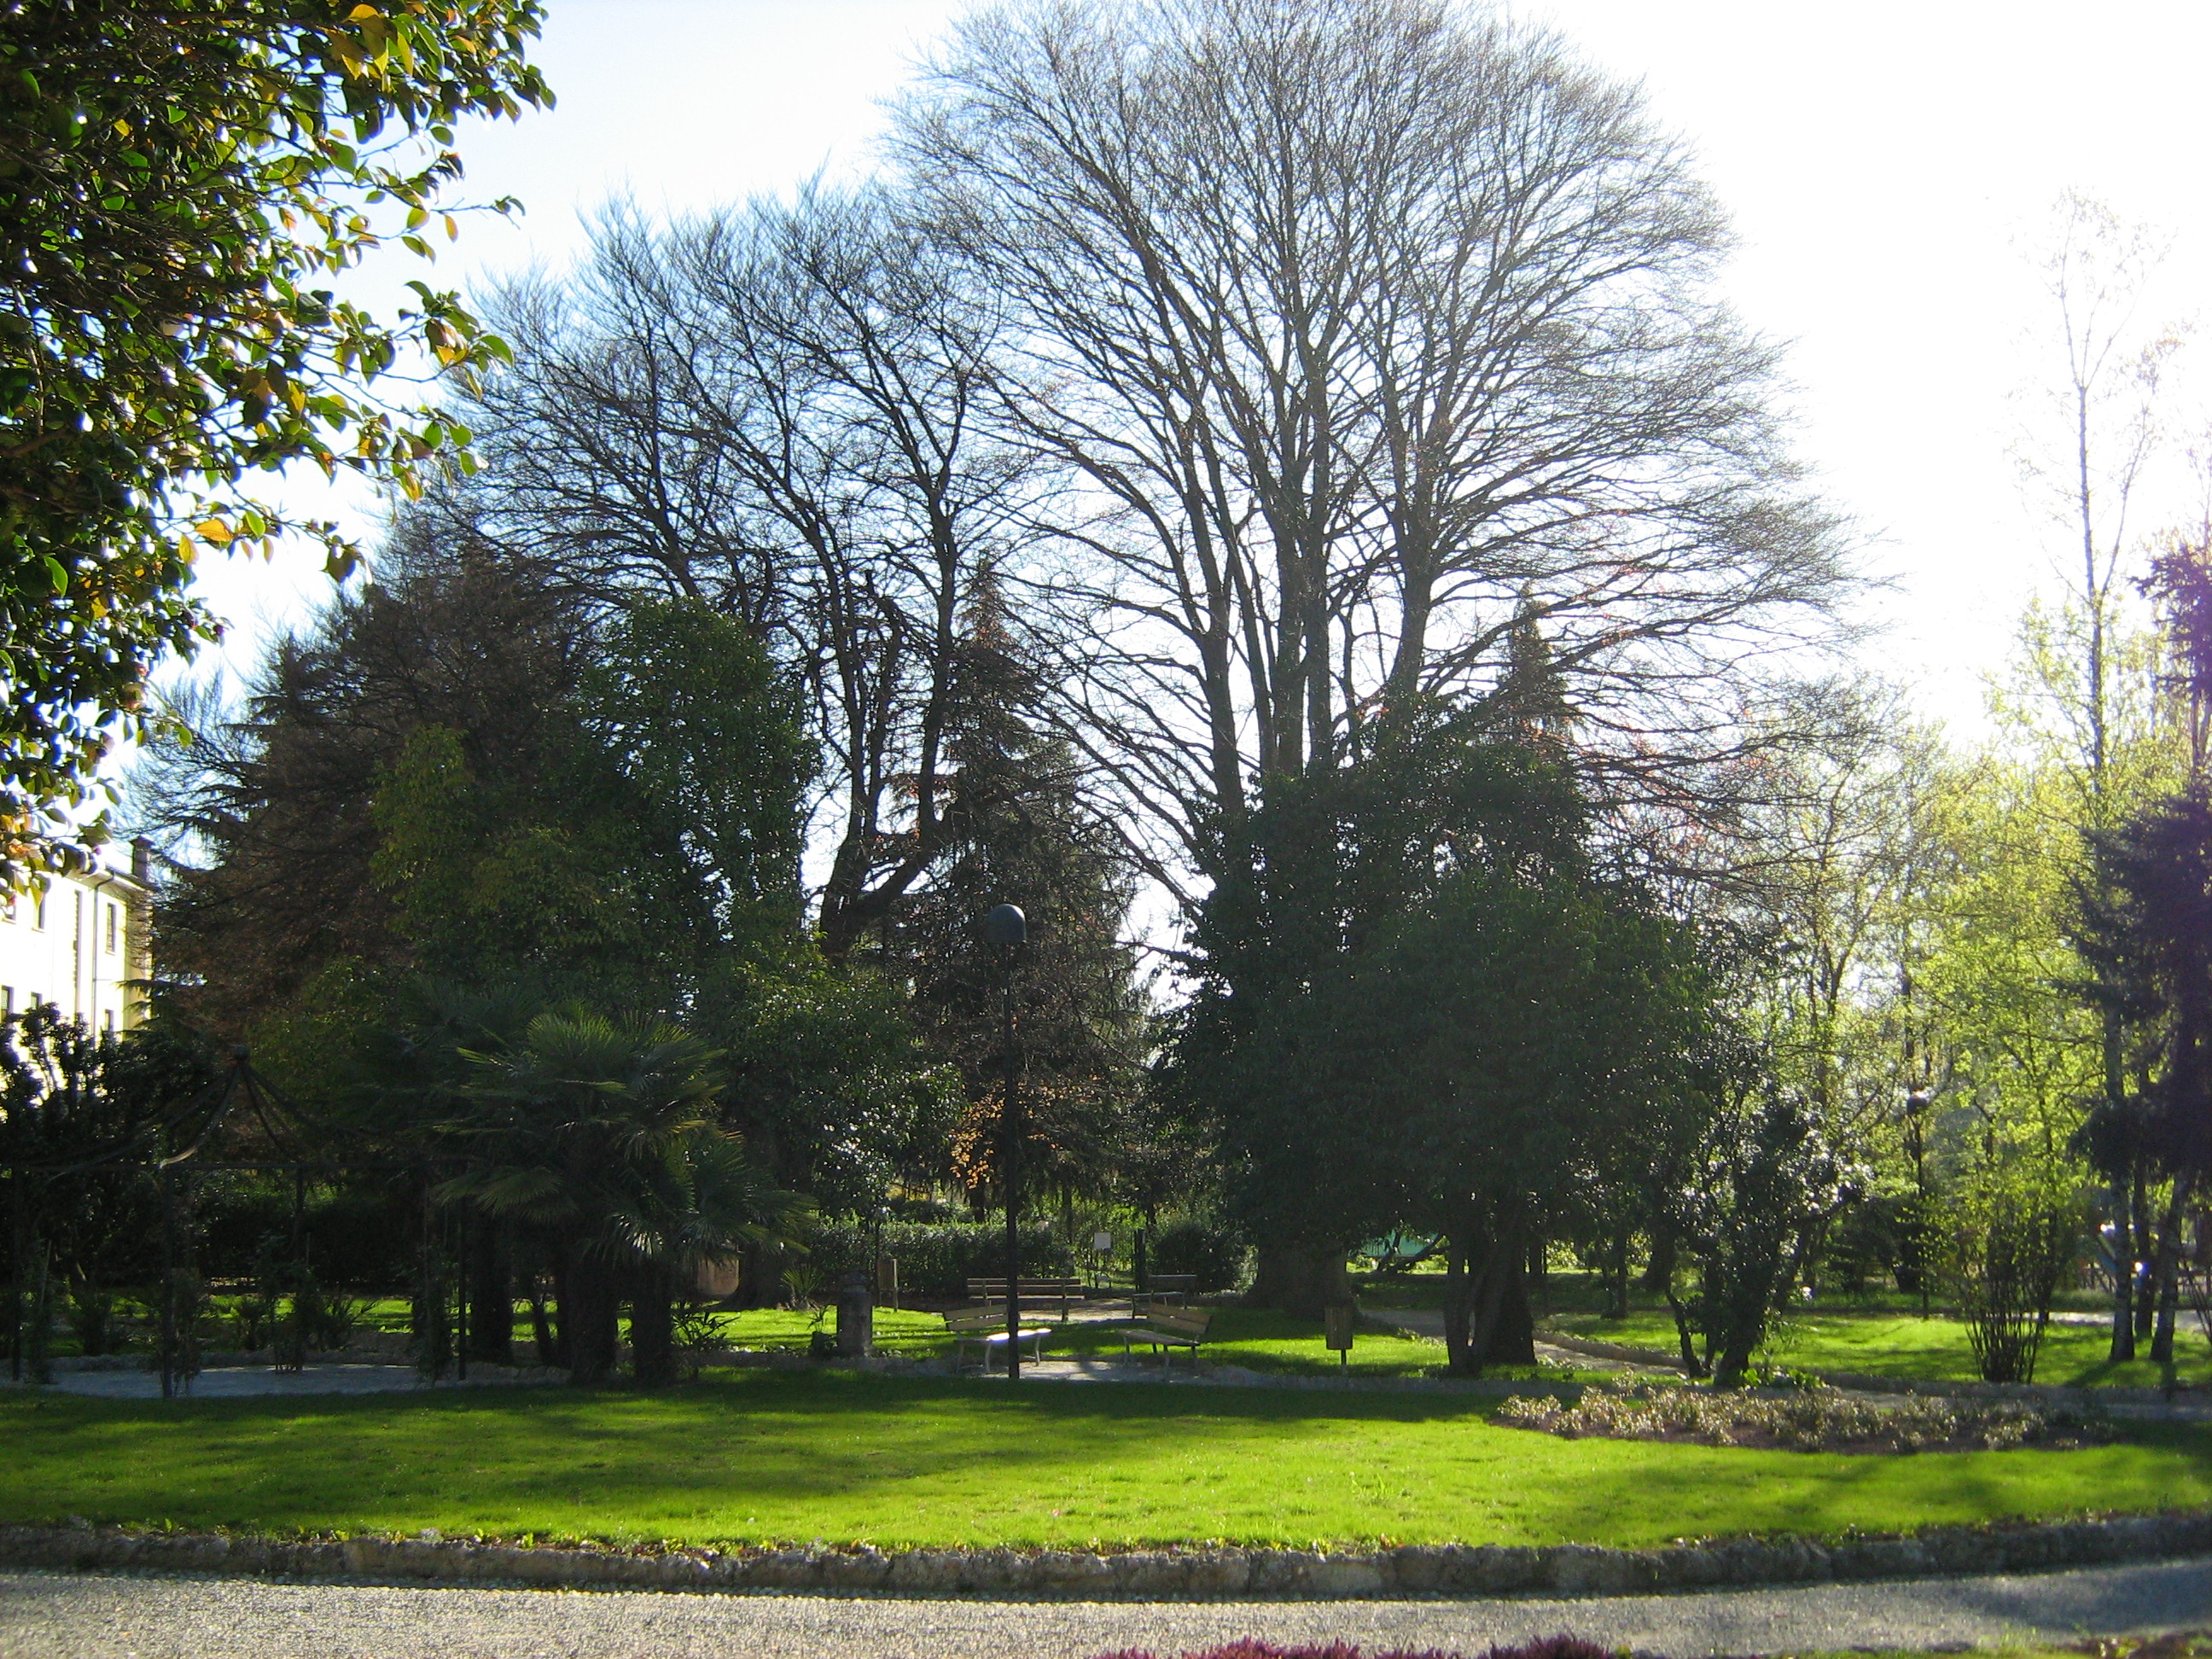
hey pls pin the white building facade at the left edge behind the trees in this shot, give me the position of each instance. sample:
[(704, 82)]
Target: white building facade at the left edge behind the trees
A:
[(81, 946)]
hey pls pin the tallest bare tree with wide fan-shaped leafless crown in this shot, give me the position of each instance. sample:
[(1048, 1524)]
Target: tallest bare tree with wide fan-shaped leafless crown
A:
[(1368, 337)]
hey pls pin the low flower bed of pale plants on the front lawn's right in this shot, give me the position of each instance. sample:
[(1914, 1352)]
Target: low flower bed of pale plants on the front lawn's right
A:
[(1811, 1421)]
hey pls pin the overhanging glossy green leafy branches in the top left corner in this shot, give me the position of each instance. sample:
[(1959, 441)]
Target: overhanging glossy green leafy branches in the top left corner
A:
[(174, 182)]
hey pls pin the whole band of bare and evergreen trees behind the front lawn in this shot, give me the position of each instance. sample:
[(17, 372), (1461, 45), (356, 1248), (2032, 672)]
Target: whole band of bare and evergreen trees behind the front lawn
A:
[(1269, 488)]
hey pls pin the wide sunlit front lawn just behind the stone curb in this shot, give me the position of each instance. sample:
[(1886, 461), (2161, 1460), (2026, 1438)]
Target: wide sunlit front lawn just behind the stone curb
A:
[(762, 1457)]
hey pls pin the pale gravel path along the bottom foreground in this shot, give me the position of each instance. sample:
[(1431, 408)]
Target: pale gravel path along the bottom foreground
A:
[(169, 1618)]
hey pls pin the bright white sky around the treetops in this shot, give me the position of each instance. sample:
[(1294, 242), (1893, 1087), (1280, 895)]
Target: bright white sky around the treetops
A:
[(1888, 167)]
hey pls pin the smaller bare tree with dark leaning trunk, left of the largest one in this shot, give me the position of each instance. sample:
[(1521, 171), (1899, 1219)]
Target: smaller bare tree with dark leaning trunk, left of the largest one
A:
[(773, 408)]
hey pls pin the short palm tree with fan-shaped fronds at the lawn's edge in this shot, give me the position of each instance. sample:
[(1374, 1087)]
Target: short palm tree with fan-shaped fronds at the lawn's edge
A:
[(607, 1134)]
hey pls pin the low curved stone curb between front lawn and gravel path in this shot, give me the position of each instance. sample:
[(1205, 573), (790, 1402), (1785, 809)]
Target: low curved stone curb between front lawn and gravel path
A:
[(1131, 1576)]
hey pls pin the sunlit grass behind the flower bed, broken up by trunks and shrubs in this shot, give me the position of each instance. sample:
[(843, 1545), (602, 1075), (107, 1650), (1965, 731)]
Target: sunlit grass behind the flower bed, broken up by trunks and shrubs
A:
[(1906, 1346)]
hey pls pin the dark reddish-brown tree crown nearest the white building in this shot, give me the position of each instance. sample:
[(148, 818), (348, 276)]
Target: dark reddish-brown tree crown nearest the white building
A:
[(282, 906)]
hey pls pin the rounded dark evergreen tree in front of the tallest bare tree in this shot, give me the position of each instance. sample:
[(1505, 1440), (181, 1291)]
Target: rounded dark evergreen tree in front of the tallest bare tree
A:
[(1439, 1019)]
